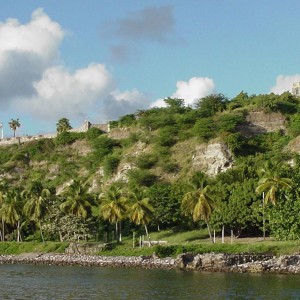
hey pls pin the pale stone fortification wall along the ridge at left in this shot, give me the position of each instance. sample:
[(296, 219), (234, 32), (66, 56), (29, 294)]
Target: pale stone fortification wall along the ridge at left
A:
[(28, 138)]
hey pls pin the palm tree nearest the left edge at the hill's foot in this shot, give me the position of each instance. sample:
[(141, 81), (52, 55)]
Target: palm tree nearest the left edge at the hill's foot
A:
[(12, 210)]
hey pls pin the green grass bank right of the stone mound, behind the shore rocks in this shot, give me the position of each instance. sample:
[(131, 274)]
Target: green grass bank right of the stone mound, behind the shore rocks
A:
[(197, 241)]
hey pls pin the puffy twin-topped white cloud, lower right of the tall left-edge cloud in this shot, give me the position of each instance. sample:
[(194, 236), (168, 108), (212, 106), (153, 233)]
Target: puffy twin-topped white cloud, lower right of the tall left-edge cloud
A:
[(60, 93)]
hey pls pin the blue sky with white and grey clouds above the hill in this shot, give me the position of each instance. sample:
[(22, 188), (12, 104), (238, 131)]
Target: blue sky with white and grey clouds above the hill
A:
[(97, 60)]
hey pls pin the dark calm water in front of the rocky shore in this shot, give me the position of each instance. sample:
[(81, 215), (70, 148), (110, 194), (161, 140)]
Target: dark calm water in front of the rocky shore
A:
[(53, 282)]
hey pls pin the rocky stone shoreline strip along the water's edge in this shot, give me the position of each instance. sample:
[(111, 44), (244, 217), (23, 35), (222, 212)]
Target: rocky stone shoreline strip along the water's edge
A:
[(212, 262)]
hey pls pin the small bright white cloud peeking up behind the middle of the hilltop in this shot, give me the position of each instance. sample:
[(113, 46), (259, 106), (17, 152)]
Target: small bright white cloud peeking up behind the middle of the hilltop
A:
[(189, 91)]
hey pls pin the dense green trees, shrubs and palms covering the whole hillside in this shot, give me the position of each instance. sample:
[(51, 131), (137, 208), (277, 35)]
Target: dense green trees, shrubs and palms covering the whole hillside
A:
[(71, 188)]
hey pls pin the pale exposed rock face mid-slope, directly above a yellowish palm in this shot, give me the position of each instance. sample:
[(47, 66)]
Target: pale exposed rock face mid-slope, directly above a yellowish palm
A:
[(212, 158)]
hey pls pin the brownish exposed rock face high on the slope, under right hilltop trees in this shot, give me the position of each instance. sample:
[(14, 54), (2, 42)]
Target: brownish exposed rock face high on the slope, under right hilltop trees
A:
[(260, 122)]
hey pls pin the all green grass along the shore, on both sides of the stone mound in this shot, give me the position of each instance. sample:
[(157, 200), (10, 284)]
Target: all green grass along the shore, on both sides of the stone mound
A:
[(195, 241)]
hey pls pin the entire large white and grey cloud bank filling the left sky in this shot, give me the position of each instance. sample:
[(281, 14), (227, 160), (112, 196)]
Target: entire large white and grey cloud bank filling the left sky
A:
[(32, 82)]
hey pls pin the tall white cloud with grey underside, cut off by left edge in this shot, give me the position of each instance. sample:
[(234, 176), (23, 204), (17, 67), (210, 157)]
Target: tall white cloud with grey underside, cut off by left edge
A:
[(25, 52)]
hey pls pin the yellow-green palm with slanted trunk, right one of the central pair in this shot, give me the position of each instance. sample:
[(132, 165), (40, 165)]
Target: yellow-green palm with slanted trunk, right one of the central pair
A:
[(140, 211)]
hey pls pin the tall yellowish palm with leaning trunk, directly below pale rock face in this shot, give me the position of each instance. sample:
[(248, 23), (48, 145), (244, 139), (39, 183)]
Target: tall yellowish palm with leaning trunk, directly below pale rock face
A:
[(199, 203)]
